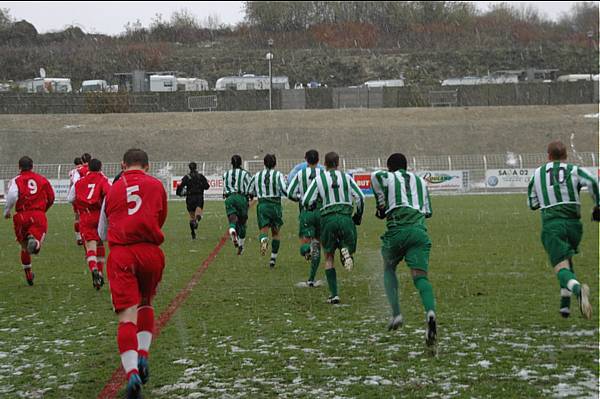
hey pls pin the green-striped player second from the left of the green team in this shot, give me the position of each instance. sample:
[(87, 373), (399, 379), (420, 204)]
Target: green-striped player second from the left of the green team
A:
[(269, 186)]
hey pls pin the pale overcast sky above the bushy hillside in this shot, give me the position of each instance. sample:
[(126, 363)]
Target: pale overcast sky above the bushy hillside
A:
[(111, 16)]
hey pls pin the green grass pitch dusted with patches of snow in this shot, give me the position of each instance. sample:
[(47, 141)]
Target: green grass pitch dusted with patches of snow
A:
[(247, 331)]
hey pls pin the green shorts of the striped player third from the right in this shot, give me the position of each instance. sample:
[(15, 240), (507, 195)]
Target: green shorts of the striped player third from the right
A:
[(338, 231)]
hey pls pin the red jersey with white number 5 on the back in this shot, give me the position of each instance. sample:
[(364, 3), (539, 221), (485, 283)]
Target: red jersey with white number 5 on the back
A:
[(136, 208)]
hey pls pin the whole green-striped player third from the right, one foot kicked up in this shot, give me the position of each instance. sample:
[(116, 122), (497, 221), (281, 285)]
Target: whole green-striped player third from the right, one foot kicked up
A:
[(337, 192)]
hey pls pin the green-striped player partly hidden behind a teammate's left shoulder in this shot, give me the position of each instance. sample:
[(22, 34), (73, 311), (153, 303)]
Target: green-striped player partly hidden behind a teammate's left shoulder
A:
[(309, 221)]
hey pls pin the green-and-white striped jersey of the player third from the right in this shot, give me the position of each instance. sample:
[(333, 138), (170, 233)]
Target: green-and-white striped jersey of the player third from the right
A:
[(334, 188)]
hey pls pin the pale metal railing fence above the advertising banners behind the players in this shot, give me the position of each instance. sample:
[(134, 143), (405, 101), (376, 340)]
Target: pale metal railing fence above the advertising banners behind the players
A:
[(474, 167)]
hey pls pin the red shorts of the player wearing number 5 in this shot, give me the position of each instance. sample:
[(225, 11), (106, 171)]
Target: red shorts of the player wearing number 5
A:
[(134, 272)]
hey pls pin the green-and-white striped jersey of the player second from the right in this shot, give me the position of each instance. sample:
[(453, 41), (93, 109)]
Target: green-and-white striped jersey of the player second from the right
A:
[(400, 189)]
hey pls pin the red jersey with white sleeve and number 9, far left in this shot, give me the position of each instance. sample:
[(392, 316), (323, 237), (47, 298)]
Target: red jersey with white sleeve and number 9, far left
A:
[(34, 192)]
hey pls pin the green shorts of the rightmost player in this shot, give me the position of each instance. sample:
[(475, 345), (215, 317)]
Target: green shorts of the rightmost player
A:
[(561, 238)]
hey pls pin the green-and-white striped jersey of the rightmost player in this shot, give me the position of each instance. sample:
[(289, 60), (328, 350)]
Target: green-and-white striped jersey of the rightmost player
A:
[(559, 183)]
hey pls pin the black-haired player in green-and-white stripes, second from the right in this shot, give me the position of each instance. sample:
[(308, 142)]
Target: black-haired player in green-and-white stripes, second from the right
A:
[(403, 200)]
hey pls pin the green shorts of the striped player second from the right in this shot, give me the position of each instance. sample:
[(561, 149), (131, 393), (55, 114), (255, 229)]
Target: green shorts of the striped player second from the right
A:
[(411, 243)]
